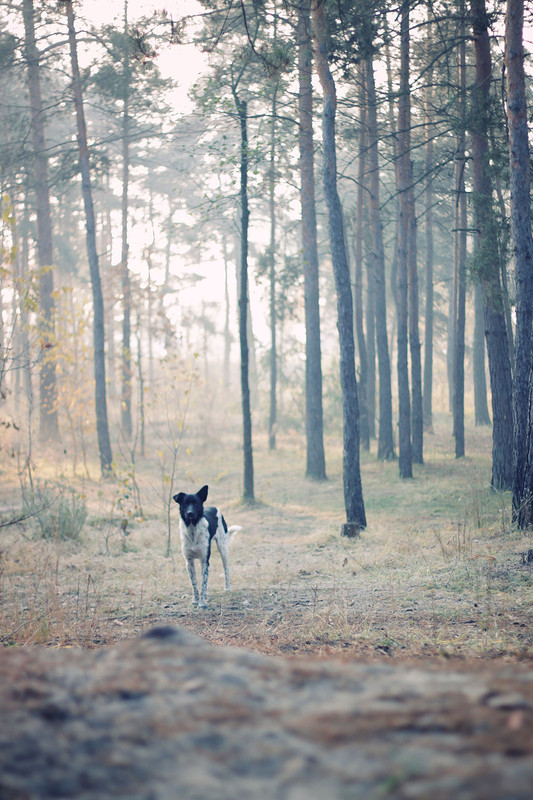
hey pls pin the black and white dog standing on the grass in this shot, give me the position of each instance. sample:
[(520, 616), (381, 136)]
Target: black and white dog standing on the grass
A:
[(198, 527)]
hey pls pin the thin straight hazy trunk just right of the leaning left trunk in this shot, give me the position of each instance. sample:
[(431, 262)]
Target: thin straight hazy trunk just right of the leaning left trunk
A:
[(127, 375)]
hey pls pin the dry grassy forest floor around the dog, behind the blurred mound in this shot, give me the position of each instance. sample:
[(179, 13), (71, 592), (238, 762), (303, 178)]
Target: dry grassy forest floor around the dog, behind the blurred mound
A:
[(439, 573)]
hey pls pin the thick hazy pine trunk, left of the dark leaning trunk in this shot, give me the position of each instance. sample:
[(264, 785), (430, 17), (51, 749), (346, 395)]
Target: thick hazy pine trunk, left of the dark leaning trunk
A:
[(48, 421)]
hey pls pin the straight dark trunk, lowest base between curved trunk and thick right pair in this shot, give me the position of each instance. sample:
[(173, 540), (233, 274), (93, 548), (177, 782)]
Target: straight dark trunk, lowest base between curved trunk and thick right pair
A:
[(403, 172)]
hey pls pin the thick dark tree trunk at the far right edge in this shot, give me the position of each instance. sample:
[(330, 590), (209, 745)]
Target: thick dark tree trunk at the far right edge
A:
[(523, 257)]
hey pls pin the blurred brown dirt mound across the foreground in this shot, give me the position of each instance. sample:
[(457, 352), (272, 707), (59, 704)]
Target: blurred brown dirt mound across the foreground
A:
[(170, 716)]
